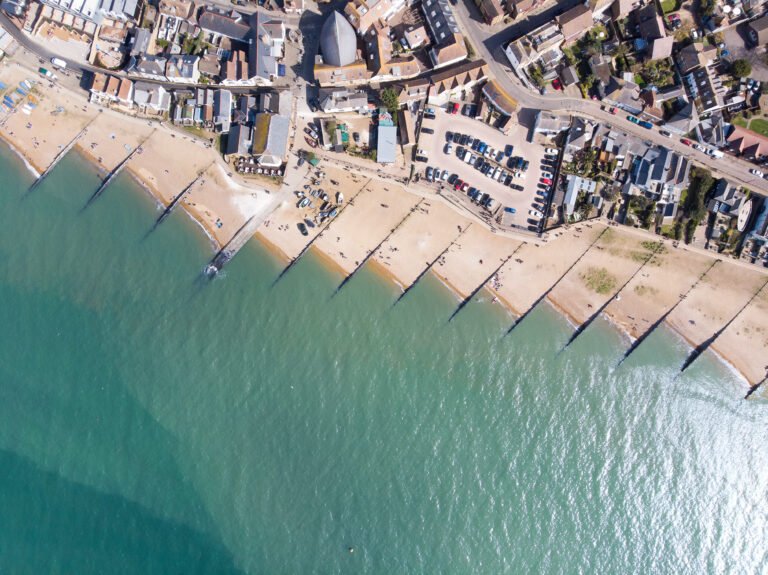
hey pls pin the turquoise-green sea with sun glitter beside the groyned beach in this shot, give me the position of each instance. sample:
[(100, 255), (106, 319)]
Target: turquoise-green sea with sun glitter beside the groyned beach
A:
[(154, 421)]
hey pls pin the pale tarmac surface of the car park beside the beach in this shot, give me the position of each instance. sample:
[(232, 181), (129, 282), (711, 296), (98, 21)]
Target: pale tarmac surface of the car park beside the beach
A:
[(503, 196)]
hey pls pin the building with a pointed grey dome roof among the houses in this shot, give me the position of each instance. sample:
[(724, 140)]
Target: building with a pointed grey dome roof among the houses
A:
[(339, 62)]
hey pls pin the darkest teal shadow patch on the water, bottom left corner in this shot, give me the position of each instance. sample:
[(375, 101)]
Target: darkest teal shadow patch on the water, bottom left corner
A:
[(117, 536)]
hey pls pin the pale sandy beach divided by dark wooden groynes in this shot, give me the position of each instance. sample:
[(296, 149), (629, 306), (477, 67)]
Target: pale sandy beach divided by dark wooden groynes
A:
[(222, 202)]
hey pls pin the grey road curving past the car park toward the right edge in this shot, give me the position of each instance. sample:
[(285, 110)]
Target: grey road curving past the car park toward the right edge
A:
[(490, 48)]
